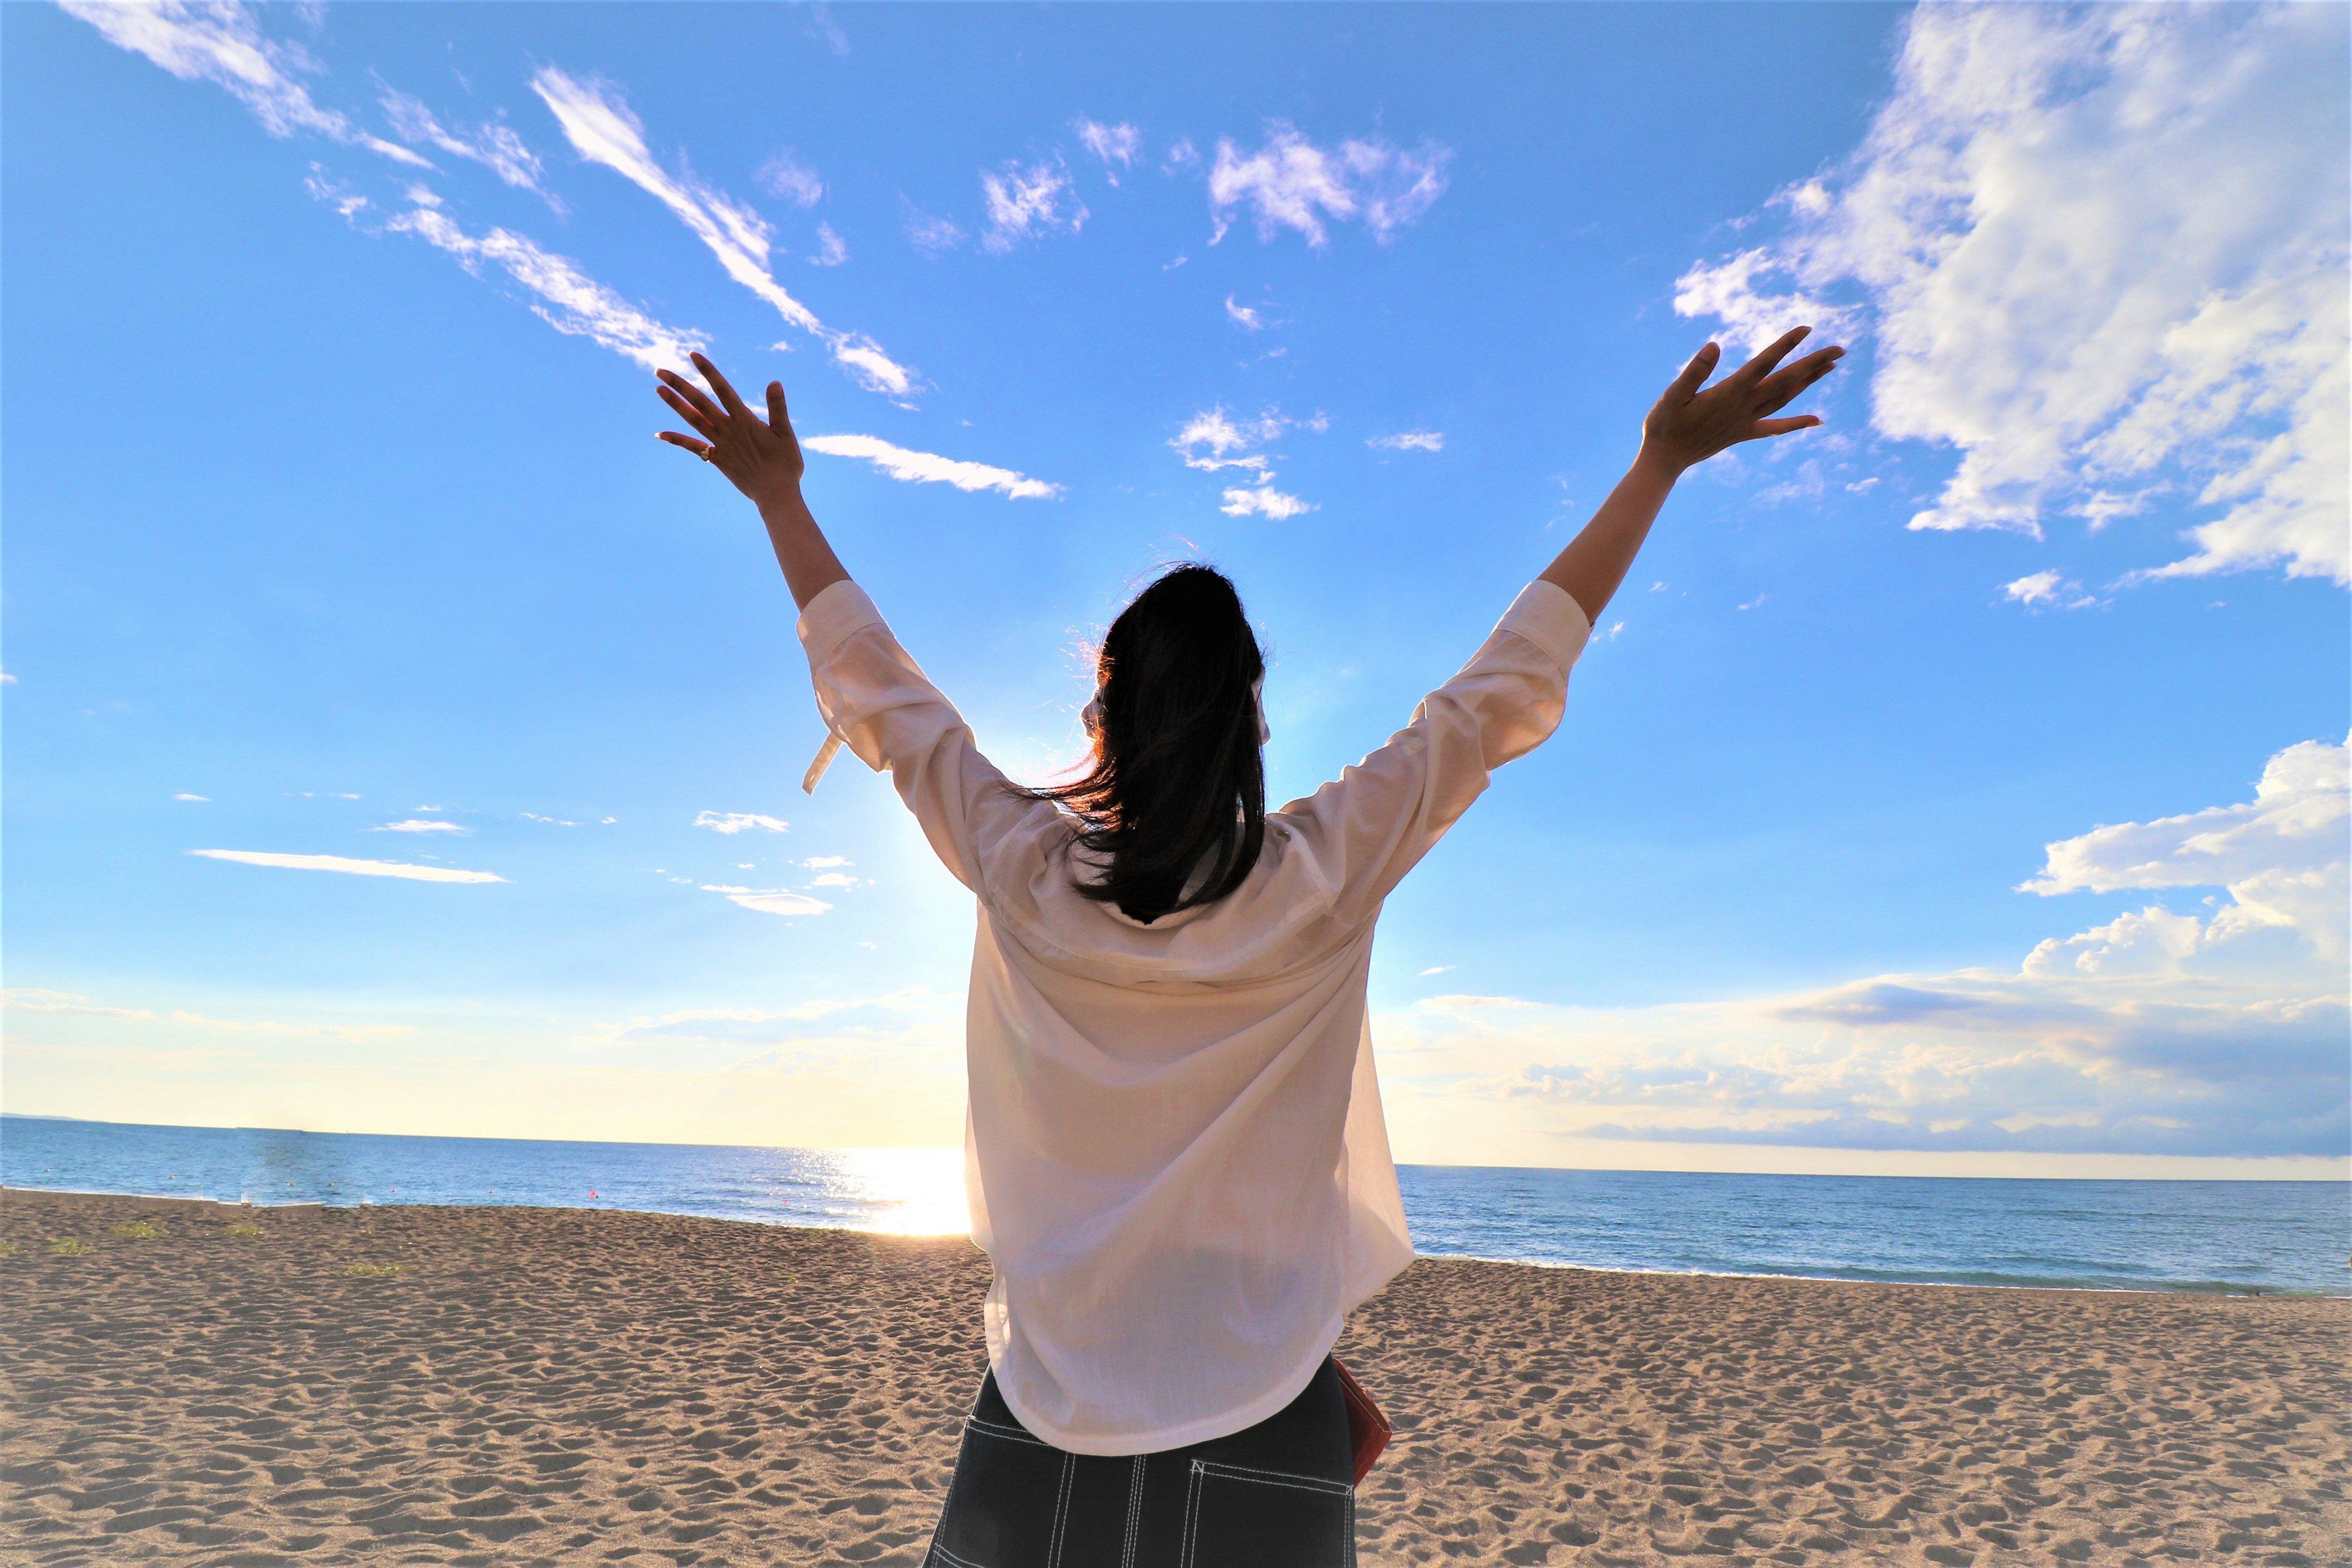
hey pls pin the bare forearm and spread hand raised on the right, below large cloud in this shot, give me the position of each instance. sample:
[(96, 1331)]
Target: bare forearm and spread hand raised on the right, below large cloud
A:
[(1688, 427)]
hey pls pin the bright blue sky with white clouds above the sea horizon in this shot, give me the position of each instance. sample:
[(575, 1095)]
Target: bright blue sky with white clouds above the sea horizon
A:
[(1953, 789)]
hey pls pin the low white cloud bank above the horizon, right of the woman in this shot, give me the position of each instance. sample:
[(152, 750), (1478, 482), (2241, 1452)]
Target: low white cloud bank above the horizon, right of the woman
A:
[(2151, 1033)]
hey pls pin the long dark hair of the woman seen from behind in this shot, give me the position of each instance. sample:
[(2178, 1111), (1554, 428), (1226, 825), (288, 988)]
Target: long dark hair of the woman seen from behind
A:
[(1177, 789)]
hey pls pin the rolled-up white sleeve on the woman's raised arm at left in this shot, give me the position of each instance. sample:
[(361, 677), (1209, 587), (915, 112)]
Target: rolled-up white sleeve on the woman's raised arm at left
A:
[(878, 704)]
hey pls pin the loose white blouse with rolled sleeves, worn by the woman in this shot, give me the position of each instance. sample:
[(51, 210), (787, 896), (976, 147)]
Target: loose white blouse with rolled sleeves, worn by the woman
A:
[(1175, 1148)]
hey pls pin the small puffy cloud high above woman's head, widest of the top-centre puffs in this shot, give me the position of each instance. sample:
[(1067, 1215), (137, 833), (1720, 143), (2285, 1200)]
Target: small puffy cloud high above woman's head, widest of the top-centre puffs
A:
[(1297, 185)]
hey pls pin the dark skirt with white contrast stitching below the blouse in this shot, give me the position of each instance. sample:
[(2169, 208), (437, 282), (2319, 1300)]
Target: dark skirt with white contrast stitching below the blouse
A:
[(1276, 1496)]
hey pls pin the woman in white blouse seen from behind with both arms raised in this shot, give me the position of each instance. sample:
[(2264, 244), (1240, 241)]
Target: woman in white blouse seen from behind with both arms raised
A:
[(1175, 1148)]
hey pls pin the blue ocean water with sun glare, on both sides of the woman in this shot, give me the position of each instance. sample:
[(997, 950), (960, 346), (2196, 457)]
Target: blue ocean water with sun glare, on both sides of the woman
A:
[(1942, 1231)]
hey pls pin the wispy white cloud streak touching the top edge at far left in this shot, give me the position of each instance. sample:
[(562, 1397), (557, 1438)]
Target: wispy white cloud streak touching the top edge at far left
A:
[(225, 46)]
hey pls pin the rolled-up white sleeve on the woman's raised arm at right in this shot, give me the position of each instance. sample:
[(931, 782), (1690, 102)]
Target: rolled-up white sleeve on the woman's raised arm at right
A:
[(1377, 819)]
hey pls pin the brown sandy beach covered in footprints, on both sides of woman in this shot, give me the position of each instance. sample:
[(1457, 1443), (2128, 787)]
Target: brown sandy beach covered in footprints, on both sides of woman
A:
[(514, 1386)]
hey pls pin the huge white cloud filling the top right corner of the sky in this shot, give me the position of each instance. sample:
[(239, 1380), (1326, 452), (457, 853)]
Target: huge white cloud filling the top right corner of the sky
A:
[(2104, 255)]
